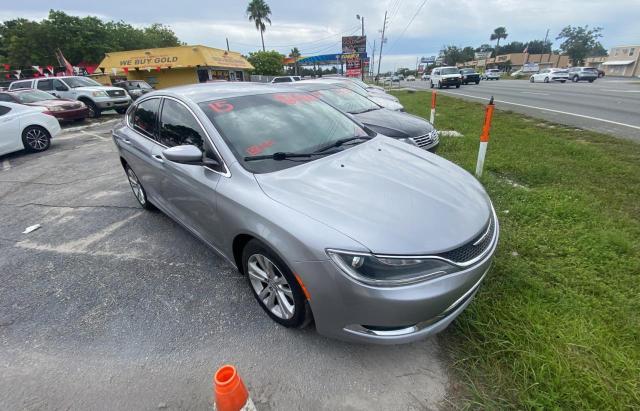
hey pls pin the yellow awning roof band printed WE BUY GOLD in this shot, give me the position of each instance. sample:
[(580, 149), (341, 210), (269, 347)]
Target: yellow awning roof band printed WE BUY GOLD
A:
[(174, 57)]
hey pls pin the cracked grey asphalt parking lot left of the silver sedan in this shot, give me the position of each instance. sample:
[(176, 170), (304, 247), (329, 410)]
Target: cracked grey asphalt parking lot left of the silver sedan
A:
[(110, 306)]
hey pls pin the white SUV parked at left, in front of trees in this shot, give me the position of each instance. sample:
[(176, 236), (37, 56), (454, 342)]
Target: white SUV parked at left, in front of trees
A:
[(93, 94)]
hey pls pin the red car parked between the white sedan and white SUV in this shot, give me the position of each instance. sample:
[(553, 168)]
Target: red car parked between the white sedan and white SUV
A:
[(62, 109)]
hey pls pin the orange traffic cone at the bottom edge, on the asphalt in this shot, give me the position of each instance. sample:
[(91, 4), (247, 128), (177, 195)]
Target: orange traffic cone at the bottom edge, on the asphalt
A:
[(229, 391)]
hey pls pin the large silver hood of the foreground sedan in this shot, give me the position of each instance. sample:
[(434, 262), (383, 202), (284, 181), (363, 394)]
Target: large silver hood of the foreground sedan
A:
[(387, 195)]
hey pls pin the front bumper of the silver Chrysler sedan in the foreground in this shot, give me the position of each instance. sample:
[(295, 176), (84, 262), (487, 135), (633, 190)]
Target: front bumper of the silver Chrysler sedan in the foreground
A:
[(352, 311)]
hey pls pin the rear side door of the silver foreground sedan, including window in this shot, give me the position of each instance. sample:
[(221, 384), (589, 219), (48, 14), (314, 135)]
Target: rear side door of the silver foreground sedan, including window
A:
[(138, 141)]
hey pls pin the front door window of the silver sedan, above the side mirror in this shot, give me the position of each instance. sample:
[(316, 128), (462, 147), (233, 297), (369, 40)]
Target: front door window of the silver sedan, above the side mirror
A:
[(178, 127)]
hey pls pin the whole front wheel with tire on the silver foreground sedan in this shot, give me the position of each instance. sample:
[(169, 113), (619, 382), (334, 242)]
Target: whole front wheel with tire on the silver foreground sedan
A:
[(274, 286)]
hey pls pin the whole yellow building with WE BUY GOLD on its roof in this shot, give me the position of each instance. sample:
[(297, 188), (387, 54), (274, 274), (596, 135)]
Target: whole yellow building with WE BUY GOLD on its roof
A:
[(173, 66)]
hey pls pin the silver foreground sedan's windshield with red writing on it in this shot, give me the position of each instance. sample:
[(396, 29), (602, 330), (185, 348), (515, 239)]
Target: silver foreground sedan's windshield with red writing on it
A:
[(264, 124)]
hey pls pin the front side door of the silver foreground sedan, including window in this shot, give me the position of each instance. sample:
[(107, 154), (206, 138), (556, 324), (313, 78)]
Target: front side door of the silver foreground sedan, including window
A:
[(189, 190)]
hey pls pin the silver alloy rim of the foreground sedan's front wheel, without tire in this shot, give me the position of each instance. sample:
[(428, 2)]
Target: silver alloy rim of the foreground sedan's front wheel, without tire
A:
[(271, 287)]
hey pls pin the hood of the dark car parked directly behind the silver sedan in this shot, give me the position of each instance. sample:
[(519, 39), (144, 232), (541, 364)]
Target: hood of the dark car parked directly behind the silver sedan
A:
[(394, 124)]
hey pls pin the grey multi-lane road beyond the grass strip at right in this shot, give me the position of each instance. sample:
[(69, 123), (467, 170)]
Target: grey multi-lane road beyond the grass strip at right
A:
[(609, 105)]
